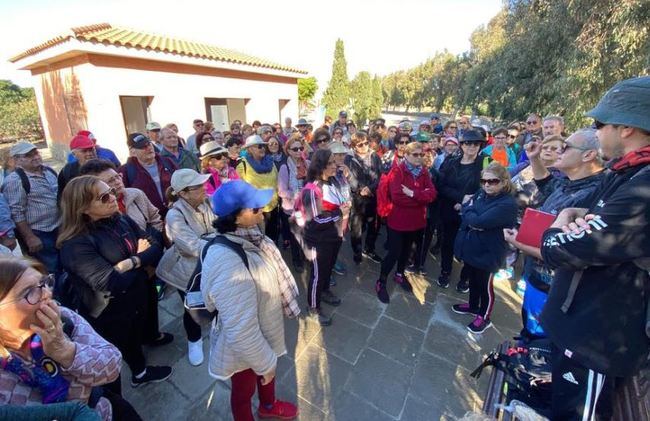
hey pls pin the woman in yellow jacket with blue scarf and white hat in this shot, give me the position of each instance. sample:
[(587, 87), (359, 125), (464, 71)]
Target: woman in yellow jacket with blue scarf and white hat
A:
[(258, 169)]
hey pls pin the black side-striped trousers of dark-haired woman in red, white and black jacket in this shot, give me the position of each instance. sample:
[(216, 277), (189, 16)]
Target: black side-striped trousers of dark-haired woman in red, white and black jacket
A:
[(323, 257)]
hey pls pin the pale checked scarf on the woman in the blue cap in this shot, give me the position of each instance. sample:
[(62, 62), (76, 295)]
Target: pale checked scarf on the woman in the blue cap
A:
[(286, 282)]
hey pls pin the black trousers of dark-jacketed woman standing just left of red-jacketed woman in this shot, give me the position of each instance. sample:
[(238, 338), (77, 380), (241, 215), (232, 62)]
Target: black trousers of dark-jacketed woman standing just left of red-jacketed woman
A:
[(363, 217)]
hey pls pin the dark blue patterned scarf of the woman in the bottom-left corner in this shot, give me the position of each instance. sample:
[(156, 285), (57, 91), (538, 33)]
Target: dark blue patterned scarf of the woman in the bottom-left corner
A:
[(46, 375)]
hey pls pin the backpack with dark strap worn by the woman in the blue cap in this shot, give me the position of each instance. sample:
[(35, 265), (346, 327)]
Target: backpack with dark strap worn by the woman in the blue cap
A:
[(194, 303)]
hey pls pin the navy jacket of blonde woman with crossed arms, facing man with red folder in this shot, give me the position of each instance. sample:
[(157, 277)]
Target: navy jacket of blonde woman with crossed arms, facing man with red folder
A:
[(480, 241)]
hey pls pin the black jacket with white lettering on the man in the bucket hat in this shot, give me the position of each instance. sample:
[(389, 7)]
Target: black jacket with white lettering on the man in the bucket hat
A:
[(596, 308)]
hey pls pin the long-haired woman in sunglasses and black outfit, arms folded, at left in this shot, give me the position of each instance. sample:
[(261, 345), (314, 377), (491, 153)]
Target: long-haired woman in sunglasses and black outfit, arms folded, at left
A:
[(105, 255)]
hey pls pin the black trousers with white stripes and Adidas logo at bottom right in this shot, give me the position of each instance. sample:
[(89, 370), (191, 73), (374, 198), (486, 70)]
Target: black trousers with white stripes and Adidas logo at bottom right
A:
[(579, 393)]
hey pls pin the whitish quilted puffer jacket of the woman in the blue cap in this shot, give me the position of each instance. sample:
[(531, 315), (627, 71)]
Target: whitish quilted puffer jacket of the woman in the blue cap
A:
[(249, 331)]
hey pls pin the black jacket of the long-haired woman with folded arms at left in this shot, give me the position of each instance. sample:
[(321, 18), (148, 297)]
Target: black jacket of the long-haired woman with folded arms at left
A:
[(89, 258)]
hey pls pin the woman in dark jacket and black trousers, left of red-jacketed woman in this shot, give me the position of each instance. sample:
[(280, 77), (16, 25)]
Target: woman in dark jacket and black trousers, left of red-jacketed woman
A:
[(365, 170)]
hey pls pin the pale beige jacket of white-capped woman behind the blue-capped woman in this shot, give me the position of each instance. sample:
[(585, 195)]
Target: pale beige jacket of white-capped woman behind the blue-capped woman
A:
[(189, 229)]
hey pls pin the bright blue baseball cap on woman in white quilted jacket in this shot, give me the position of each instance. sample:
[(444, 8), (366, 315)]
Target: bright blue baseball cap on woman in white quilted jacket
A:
[(238, 194)]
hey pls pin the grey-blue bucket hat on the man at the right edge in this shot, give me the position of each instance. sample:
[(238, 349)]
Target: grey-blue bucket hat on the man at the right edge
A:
[(627, 103)]
